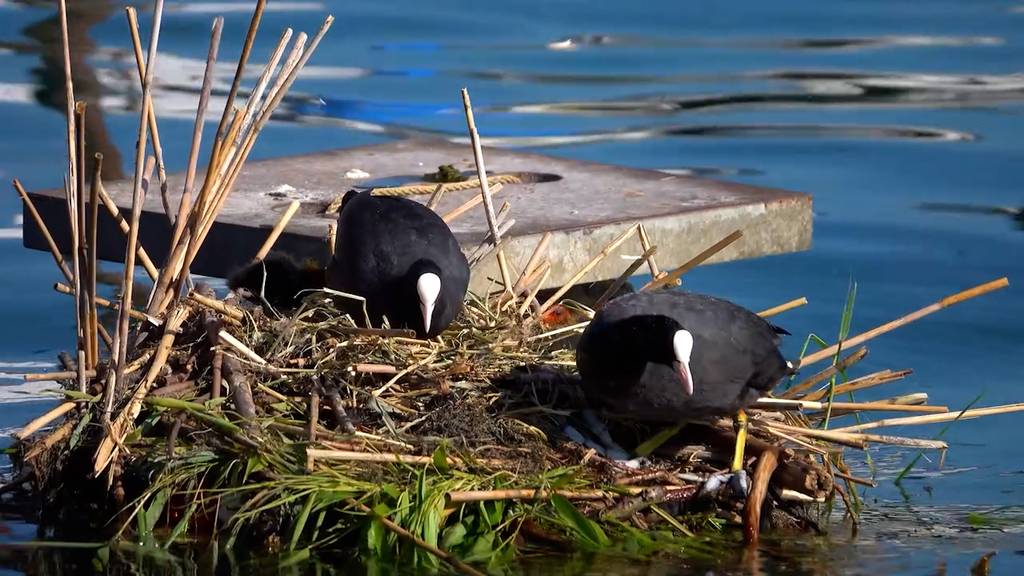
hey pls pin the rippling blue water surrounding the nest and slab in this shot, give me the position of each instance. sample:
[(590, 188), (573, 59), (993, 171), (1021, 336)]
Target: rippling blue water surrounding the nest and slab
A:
[(873, 107)]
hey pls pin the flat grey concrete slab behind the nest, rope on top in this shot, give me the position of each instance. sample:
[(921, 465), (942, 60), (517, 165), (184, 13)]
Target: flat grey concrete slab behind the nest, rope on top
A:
[(584, 205)]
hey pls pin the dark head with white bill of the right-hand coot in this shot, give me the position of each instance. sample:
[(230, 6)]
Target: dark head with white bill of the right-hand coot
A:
[(661, 340)]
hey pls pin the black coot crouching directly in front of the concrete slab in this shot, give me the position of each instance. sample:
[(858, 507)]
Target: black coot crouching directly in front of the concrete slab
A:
[(403, 259)]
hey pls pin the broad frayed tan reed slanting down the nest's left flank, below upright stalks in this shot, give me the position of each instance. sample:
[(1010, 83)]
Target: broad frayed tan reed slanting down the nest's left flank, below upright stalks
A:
[(120, 428)]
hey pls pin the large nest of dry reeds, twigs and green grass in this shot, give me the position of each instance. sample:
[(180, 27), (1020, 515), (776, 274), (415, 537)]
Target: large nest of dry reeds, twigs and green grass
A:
[(220, 419)]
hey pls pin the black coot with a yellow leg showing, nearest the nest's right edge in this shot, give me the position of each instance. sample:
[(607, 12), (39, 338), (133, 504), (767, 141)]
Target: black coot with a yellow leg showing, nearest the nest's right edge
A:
[(674, 356)]
